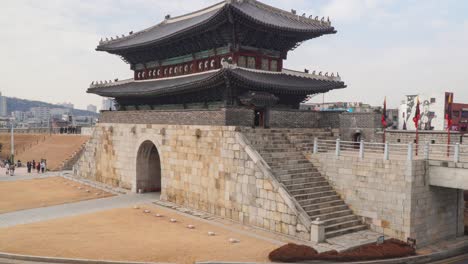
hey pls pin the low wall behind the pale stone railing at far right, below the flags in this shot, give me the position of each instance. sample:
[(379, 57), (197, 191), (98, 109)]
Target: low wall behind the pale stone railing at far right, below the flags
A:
[(433, 137)]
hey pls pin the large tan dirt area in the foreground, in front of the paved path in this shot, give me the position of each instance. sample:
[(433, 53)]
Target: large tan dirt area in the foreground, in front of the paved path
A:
[(129, 234)]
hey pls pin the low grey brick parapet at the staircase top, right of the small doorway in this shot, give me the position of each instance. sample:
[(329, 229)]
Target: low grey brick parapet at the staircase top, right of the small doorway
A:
[(294, 118)]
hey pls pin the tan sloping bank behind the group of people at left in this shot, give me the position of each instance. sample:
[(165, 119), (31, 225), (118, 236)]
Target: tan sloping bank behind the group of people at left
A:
[(55, 149)]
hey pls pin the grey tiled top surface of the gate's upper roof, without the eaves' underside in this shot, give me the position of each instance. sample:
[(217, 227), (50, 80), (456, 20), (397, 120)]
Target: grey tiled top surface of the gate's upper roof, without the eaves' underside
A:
[(252, 10)]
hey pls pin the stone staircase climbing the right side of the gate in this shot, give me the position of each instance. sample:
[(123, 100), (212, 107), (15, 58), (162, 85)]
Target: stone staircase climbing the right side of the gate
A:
[(283, 150)]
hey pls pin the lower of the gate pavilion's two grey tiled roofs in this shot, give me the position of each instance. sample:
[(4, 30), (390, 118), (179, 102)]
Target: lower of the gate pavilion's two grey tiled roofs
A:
[(285, 82)]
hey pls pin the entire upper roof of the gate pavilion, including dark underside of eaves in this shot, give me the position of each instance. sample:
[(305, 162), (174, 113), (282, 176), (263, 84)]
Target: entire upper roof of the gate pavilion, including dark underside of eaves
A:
[(256, 24)]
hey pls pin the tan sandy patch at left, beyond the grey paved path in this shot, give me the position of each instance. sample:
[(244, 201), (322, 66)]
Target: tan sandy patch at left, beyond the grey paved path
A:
[(27, 194)]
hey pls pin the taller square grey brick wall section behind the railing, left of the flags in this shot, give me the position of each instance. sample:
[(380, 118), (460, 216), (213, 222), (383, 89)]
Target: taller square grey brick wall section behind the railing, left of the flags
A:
[(365, 124)]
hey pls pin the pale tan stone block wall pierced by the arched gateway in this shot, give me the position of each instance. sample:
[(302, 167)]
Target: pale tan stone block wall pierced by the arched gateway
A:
[(209, 168)]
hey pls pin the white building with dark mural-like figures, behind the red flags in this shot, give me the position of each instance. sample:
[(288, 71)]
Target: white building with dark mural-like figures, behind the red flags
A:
[(433, 108)]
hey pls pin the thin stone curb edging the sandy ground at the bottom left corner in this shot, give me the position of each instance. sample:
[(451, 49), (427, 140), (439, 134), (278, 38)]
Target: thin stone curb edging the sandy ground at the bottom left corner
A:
[(66, 260)]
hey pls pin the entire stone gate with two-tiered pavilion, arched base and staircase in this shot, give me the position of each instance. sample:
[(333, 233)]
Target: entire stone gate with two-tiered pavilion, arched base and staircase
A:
[(211, 119)]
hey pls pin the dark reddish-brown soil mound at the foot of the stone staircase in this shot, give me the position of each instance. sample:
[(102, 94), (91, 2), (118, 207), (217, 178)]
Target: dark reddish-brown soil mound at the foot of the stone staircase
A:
[(391, 248)]
